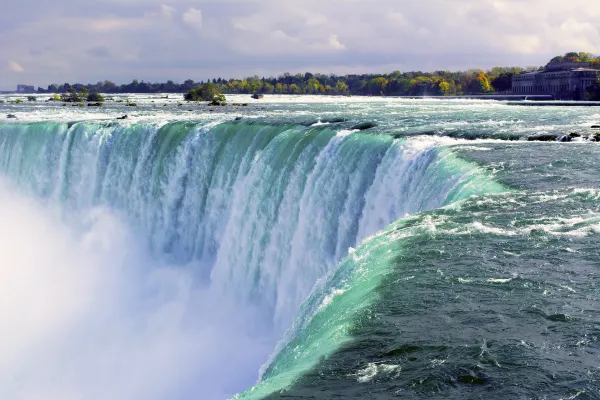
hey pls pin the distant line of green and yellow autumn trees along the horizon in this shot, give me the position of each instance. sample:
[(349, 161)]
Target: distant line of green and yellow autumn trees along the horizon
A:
[(444, 83)]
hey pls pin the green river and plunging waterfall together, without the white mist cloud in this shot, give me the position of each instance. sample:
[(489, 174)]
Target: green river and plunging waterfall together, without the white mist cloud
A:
[(393, 262)]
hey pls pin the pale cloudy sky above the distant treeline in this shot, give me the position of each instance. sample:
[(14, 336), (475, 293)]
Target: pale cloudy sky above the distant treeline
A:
[(76, 41)]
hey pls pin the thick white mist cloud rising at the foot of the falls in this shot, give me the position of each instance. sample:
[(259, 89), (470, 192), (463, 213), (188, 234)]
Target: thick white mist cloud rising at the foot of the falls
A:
[(87, 313)]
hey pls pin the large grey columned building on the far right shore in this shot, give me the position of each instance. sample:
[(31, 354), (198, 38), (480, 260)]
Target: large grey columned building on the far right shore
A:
[(562, 80)]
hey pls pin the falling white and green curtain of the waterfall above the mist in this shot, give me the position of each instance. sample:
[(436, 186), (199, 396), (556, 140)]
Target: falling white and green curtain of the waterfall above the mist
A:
[(256, 213)]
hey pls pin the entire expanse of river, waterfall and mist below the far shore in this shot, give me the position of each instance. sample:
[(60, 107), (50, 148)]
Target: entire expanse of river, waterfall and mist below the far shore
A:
[(203, 252)]
